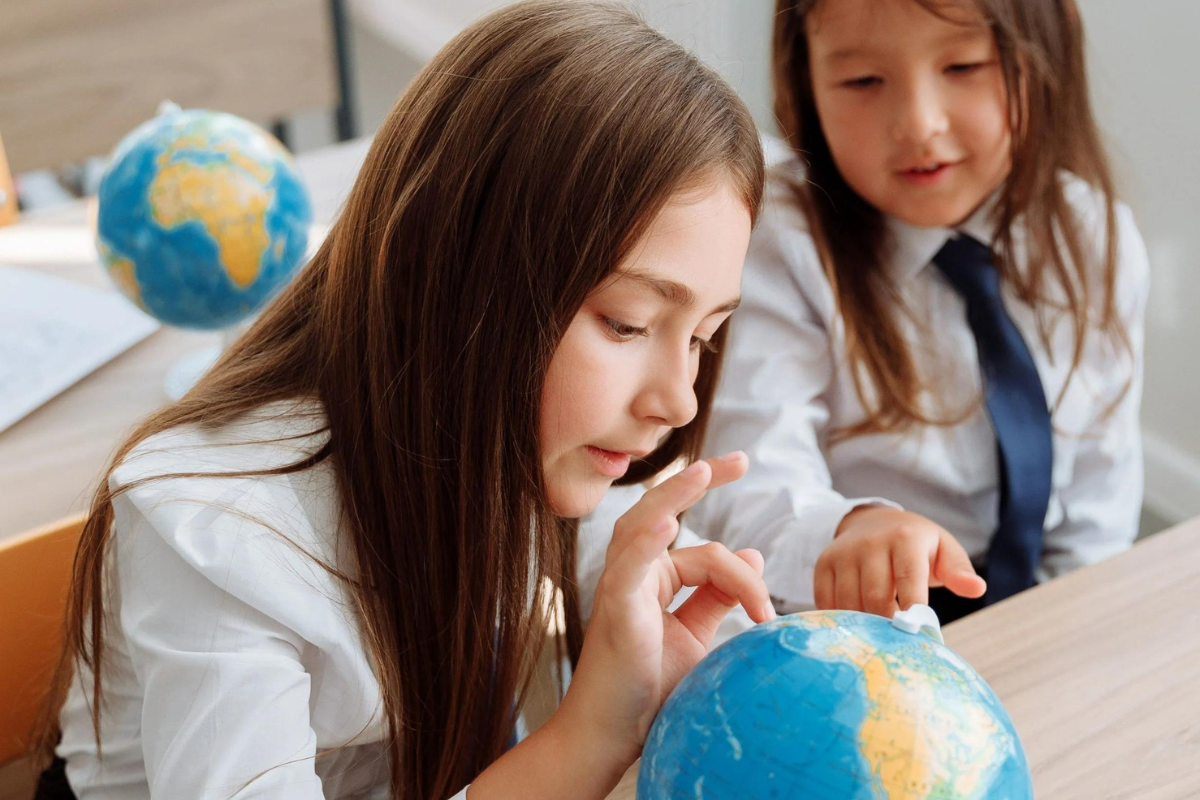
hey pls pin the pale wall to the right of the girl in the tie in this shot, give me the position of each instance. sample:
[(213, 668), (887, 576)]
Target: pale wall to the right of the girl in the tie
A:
[(1145, 71)]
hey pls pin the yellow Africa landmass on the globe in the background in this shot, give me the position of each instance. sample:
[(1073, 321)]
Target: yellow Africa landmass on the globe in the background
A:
[(229, 199)]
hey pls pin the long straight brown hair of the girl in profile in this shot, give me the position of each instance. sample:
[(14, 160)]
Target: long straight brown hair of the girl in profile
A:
[(512, 178)]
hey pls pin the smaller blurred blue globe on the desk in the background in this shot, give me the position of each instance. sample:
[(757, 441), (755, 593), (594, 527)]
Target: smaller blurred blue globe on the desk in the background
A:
[(202, 218)]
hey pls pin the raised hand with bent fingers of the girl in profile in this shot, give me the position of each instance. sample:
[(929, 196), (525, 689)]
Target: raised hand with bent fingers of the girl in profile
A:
[(635, 652)]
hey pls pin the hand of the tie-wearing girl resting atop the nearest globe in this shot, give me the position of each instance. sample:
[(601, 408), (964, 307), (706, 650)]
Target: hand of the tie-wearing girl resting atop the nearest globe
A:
[(883, 561)]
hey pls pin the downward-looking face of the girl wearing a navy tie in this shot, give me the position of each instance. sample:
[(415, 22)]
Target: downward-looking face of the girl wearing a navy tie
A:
[(914, 106)]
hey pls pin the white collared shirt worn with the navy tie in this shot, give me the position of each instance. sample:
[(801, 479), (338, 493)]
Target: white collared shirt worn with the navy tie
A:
[(785, 387)]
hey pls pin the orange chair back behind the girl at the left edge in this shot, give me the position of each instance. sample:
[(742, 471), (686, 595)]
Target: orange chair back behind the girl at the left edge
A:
[(35, 575)]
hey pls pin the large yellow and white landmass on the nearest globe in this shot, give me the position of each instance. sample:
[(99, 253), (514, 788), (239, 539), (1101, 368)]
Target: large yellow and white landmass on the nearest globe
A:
[(908, 757)]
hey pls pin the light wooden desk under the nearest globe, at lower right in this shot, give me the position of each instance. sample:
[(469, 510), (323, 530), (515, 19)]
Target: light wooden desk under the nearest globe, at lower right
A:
[(1100, 672)]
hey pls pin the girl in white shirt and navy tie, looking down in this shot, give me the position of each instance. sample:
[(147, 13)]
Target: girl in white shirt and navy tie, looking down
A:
[(938, 366)]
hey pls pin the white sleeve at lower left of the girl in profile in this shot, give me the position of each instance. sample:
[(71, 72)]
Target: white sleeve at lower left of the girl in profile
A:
[(225, 691)]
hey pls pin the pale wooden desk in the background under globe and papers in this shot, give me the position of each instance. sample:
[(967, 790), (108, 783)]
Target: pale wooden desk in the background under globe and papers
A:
[(51, 461)]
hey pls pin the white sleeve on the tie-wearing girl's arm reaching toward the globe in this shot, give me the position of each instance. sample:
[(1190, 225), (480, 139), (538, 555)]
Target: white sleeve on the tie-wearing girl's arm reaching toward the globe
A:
[(772, 404)]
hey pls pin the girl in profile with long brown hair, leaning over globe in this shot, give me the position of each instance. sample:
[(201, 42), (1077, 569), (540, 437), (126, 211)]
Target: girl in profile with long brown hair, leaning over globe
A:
[(321, 574)]
